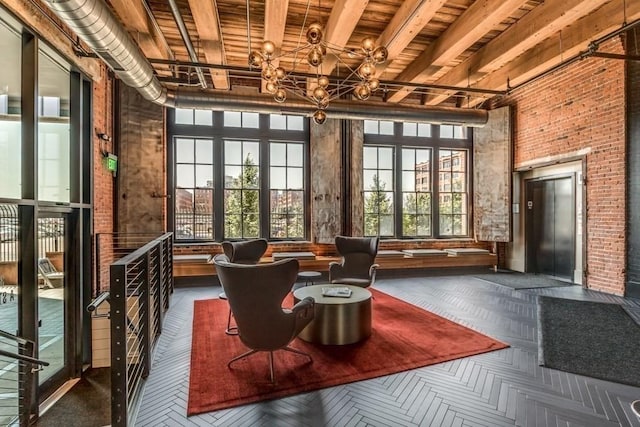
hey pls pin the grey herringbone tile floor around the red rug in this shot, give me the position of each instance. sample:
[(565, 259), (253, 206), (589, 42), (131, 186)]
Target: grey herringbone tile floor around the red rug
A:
[(502, 388)]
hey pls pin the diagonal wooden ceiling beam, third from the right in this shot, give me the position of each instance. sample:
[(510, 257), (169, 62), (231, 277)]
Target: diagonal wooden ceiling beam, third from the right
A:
[(474, 23)]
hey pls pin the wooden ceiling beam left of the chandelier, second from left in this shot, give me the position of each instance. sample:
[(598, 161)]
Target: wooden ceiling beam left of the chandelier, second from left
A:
[(205, 16)]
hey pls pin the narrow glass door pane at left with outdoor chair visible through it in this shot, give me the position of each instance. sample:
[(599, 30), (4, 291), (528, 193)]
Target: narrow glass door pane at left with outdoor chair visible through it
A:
[(51, 296)]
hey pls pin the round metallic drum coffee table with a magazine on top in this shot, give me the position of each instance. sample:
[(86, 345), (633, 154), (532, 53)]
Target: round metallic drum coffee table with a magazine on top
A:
[(337, 320)]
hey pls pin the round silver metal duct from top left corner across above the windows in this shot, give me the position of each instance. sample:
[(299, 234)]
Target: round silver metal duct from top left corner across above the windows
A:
[(97, 26)]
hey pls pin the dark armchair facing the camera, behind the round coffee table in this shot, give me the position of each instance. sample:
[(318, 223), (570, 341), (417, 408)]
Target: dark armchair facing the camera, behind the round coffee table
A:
[(358, 267)]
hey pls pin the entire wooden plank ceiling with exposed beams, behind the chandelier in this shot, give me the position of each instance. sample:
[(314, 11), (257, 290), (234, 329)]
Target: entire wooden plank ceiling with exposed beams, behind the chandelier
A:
[(437, 48)]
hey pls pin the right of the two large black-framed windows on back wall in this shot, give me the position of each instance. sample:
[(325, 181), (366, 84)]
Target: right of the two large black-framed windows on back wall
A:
[(417, 180)]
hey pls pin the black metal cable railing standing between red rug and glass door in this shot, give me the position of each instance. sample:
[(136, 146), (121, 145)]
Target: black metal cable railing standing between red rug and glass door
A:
[(140, 285)]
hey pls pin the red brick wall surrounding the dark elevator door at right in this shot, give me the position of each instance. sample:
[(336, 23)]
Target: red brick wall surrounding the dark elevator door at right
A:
[(582, 107)]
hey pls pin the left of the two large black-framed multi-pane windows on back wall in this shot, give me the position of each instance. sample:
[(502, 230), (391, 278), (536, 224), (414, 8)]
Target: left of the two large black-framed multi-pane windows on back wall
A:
[(238, 175)]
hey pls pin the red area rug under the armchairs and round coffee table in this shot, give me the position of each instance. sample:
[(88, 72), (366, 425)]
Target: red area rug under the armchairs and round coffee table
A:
[(403, 337)]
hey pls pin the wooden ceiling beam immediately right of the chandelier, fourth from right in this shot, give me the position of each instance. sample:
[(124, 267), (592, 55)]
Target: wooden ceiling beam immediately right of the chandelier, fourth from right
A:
[(406, 24)]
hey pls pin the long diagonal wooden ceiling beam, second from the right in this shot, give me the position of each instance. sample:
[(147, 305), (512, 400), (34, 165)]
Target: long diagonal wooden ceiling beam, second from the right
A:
[(539, 24)]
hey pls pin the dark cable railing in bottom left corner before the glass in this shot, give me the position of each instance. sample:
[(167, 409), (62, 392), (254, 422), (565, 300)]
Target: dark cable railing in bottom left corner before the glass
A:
[(17, 368)]
